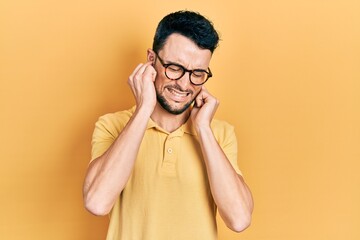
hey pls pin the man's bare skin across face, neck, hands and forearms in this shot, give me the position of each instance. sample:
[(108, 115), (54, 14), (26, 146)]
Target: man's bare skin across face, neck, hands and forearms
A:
[(107, 175)]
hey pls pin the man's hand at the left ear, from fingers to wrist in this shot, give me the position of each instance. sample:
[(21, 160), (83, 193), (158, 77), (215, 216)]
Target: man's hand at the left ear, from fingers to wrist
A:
[(141, 82)]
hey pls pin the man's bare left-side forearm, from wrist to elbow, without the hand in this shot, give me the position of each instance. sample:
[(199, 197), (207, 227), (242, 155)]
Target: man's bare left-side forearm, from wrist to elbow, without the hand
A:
[(108, 174)]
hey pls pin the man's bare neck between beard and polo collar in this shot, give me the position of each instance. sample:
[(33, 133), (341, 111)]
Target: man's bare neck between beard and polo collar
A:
[(167, 121)]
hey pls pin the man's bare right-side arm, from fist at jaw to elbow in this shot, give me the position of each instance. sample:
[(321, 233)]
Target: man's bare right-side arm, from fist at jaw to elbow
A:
[(229, 190)]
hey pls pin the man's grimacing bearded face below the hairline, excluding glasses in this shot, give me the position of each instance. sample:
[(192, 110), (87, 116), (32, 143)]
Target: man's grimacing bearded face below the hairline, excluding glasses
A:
[(175, 96)]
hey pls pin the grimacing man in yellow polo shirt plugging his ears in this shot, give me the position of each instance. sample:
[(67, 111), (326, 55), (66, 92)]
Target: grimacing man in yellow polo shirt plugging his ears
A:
[(164, 167)]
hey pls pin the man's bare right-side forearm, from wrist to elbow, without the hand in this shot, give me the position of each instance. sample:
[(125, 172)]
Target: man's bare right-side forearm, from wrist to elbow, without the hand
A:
[(230, 193)]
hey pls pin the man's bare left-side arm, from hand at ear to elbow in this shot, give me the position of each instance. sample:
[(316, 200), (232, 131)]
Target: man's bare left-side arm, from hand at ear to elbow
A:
[(108, 174)]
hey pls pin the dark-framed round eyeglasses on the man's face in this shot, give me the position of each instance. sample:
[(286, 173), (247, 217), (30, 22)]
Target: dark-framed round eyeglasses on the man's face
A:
[(175, 72)]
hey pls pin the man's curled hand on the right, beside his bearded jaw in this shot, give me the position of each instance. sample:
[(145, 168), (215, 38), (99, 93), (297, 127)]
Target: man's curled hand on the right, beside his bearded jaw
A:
[(204, 109)]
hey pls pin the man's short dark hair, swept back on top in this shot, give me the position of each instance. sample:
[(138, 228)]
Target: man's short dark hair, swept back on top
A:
[(189, 24)]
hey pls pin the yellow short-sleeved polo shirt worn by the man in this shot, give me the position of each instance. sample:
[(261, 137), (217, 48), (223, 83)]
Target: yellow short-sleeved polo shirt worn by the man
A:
[(167, 196)]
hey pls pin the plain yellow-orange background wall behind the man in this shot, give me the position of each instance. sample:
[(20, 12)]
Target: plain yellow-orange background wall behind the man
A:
[(286, 73)]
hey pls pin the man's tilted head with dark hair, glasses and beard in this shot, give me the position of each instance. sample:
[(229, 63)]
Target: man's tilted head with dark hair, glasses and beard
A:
[(184, 41)]
